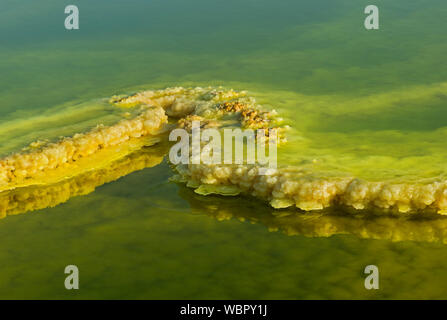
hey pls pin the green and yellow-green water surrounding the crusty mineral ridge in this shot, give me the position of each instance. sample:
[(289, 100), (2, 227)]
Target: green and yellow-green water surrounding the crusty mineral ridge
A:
[(369, 103)]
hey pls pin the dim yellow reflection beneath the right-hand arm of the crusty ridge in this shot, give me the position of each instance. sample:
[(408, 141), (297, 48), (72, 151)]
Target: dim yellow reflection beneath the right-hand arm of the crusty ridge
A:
[(320, 224)]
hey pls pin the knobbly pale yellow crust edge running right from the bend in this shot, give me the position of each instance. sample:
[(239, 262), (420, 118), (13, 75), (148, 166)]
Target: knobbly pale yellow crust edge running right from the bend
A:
[(285, 188)]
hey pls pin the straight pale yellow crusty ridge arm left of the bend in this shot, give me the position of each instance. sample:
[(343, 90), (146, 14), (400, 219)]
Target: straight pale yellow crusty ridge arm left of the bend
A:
[(58, 159)]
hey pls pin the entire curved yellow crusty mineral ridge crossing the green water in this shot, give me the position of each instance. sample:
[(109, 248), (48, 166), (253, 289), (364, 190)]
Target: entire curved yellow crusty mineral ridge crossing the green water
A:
[(287, 186)]
